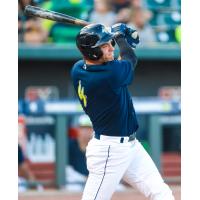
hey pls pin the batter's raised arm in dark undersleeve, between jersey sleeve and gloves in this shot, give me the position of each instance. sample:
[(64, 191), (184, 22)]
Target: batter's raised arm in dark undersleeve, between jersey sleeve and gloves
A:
[(126, 52)]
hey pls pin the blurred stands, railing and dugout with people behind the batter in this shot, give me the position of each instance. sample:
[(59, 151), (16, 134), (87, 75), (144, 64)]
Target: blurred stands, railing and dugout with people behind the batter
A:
[(53, 131)]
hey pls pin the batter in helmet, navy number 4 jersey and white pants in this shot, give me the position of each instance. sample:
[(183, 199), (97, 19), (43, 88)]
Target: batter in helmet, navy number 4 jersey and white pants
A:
[(101, 83)]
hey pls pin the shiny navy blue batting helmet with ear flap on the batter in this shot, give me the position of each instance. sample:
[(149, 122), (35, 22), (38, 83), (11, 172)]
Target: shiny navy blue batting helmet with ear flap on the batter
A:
[(90, 38)]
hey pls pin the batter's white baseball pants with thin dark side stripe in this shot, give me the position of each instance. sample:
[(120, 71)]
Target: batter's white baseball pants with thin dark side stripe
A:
[(109, 161)]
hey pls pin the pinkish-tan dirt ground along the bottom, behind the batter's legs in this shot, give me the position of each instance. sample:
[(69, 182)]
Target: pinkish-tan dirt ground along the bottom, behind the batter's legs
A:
[(64, 195)]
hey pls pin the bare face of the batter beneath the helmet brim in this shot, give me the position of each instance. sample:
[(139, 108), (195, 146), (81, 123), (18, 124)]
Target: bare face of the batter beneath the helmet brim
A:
[(108, 52)]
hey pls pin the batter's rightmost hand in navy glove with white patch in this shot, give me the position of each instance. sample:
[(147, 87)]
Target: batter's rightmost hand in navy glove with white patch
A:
[(132, 37)]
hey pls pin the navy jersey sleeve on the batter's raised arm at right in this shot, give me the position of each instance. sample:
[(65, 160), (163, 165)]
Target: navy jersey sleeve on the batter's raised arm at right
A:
[(122, 73)]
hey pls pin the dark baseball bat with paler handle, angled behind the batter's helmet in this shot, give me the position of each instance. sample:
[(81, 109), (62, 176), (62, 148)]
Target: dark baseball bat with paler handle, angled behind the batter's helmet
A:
[(54, 16)]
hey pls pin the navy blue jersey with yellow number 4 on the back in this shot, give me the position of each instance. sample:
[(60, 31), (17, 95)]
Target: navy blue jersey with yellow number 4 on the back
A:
[(103, 94)]
